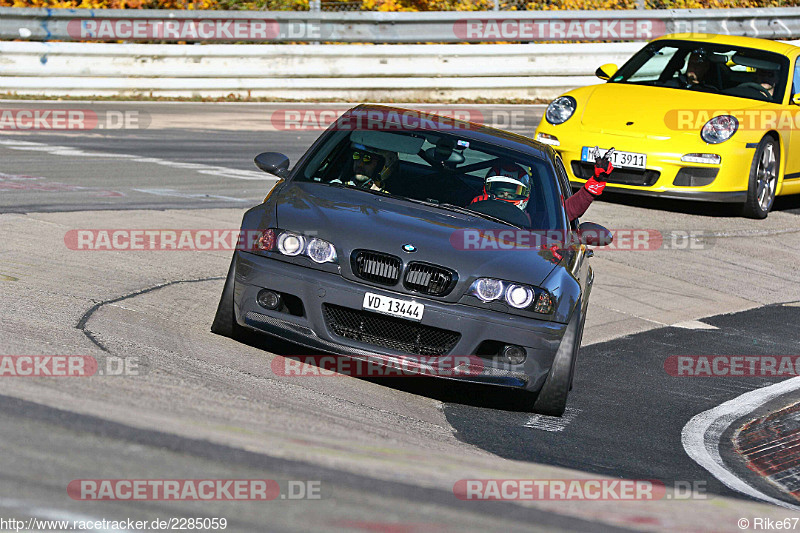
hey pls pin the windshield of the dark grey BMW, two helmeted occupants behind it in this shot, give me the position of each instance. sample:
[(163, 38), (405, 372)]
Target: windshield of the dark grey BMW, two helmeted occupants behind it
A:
[(442, 170)]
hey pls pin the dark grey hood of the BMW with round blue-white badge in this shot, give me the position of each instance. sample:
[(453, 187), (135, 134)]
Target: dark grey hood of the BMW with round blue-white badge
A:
[(352, 220)]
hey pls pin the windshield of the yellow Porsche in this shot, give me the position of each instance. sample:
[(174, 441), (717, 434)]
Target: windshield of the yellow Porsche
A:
[(710, 68)]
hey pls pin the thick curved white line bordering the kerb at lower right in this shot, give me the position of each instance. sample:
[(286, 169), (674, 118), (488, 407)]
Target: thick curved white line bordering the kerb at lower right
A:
[(701, 436)]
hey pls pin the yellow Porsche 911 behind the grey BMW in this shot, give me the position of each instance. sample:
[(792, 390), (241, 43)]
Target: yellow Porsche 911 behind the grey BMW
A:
[(714, 118)]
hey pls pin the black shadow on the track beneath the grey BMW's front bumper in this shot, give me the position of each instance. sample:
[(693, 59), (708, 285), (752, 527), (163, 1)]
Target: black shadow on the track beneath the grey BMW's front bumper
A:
[(440, 389)]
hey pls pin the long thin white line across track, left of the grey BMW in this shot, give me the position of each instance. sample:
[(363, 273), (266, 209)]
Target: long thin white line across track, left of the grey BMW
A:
[(212, 170)]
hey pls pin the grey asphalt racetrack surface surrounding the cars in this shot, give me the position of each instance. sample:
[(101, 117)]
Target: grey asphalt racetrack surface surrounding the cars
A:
[(386, 451)]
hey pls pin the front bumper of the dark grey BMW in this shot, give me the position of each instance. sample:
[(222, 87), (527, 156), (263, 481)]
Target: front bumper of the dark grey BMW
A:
[(319, 291)]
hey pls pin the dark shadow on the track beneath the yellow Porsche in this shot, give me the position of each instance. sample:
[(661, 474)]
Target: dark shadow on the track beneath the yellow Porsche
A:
[(788, 204)]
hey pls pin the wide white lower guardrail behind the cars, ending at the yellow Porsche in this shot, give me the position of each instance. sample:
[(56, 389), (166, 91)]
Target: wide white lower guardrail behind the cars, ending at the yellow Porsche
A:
[(354, 72)]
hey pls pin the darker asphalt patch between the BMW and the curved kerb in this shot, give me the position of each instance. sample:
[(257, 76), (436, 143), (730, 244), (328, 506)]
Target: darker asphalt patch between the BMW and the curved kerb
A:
[(631, 410)]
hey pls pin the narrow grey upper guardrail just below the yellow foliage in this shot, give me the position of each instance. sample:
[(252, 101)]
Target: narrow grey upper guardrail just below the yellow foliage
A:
[(380, 27)]
